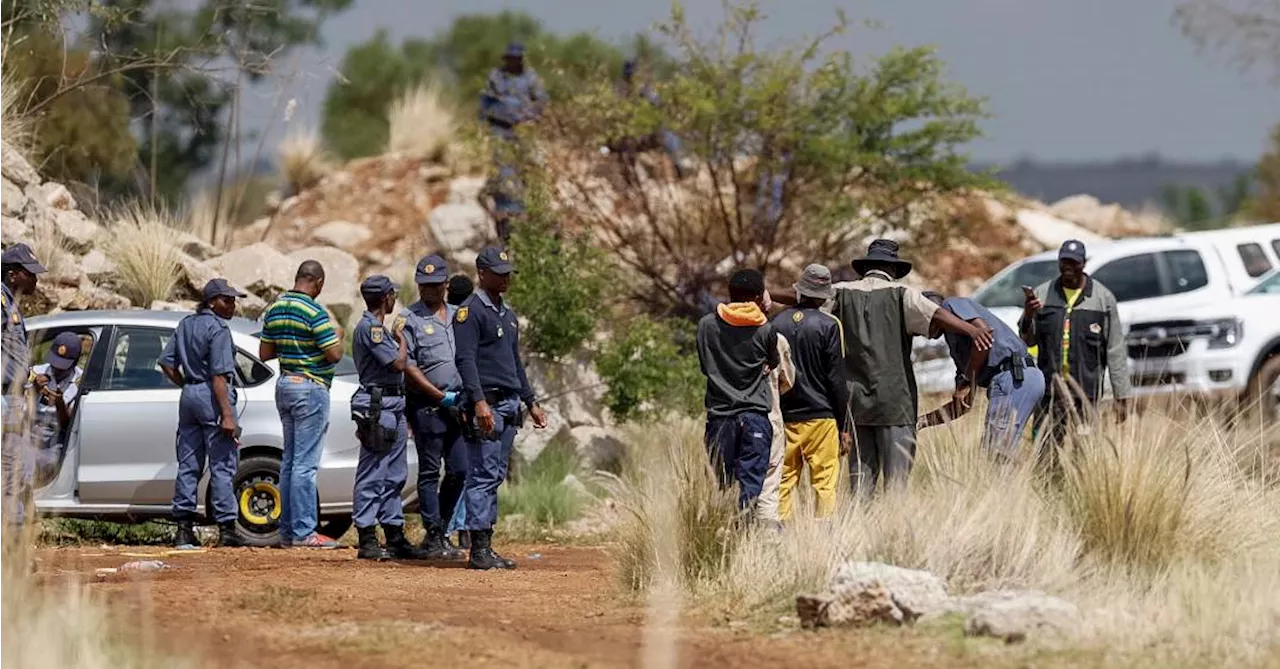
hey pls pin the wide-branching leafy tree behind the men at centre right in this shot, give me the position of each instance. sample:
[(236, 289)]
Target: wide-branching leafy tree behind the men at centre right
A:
[(851, 152)]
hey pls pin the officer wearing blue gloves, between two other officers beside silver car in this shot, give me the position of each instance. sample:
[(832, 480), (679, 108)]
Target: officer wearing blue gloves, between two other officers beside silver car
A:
[(432, 402)]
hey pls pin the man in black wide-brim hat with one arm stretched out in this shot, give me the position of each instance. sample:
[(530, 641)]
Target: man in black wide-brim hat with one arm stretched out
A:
[(880, 315)]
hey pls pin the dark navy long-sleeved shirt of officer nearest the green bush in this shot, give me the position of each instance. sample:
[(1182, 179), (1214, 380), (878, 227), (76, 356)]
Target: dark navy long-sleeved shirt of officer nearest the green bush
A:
[(488, 349)]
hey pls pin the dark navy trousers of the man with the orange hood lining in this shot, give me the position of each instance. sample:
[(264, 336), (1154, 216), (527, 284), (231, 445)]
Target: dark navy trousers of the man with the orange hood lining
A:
[(739, 448)]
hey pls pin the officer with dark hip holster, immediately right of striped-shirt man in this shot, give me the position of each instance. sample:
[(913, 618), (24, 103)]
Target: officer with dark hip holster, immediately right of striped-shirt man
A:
[(378, 410)]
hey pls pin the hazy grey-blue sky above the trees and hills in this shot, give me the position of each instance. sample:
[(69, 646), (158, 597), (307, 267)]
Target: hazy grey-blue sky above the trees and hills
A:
[(1067, 80)]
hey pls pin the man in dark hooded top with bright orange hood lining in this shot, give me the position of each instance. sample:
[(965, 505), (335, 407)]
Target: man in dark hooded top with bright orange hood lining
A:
[(737, 350)]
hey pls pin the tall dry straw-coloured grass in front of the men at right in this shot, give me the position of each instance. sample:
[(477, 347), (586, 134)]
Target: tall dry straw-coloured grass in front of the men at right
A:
[(1158, 529)]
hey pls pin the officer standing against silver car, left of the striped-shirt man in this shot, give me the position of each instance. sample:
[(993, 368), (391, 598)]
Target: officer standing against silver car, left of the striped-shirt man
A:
[(202, 360)]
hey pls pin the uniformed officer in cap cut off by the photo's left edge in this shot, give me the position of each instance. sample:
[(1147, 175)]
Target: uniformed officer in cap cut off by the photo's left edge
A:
[(20, 272)]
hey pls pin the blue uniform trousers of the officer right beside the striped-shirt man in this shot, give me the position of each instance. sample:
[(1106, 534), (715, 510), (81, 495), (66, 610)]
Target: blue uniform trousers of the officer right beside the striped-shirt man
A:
[(381, 478)]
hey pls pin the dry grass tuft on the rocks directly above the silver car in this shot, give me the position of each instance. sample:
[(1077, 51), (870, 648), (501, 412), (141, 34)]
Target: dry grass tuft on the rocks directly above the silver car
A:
[(143, 245)]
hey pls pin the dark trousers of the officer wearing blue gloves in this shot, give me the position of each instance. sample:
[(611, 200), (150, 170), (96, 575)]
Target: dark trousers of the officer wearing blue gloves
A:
[(438, 439)]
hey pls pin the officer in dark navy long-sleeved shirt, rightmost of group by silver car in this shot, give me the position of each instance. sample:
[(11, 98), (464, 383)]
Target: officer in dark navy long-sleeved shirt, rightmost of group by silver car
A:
[(493, 377)]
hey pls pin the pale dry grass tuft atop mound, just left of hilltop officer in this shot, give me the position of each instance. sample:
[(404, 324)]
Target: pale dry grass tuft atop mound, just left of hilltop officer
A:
[(423, 123)]
